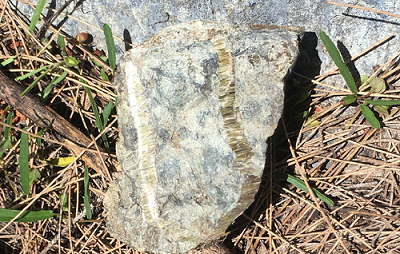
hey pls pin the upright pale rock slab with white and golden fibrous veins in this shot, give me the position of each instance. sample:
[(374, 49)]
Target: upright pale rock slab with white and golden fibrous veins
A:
[(196, 104)]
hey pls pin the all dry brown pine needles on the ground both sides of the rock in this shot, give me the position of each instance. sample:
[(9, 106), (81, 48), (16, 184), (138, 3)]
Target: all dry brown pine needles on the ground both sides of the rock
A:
[(342, 155)]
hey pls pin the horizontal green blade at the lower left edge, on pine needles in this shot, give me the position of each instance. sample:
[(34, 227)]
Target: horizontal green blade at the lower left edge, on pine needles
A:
[(28, 216)]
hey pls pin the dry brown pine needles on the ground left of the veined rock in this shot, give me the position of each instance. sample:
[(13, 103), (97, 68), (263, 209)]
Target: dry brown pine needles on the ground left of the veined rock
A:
[(69, 232)]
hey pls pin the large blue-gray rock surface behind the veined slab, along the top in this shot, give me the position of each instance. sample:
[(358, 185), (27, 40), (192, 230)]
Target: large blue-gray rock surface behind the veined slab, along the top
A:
[(139, 20)]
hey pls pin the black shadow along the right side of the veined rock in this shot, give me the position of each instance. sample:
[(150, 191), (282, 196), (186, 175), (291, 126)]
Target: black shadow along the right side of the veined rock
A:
[(308, 64)]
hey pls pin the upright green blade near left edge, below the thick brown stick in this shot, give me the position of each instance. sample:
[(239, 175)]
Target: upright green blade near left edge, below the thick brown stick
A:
[(24, 162)]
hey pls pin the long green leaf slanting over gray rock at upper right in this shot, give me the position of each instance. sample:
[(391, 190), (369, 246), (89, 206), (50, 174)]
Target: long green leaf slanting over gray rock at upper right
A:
[(336, 57)]
